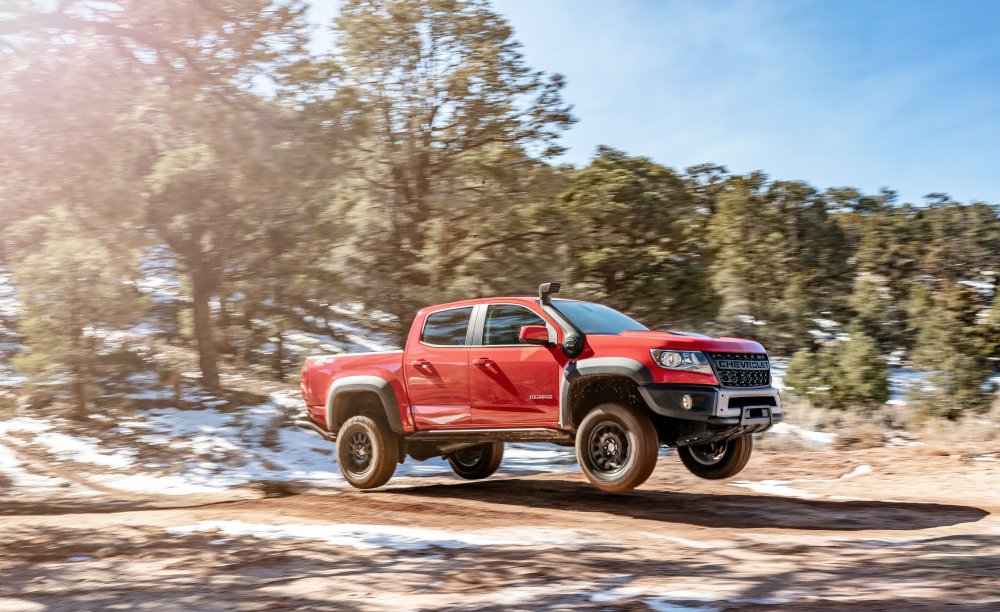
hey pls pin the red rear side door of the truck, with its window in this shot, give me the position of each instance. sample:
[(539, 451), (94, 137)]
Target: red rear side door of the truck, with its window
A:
[(436, 368)]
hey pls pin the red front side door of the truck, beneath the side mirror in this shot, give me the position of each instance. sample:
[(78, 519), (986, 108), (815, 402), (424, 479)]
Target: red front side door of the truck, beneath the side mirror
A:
[(512, 384)]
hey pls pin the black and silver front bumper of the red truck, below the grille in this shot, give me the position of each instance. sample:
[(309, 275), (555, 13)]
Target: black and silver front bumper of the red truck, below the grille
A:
[(751, 409)]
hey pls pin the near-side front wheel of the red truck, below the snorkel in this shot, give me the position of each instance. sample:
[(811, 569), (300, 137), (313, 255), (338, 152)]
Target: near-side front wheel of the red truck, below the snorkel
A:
[(616, 447)]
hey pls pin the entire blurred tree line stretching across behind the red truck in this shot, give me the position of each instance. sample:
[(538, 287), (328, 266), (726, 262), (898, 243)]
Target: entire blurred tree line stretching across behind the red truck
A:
[(412, 165)]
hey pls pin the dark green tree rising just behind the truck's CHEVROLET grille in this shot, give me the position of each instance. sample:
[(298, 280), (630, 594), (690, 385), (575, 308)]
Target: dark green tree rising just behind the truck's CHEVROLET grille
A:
[(778, 260)]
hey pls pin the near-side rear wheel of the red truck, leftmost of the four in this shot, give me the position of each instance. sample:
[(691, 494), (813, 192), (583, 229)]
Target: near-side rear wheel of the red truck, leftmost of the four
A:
[(367, 452)]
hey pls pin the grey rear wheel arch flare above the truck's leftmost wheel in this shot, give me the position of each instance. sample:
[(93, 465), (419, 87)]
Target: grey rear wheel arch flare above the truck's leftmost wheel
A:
[(362, 395)]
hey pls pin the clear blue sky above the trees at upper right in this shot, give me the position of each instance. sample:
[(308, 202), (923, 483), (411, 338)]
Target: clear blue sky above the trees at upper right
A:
[(902, 94)]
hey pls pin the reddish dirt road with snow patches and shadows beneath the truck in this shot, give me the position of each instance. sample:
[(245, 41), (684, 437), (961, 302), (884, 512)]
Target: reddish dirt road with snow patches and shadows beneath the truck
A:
[(874, 530)]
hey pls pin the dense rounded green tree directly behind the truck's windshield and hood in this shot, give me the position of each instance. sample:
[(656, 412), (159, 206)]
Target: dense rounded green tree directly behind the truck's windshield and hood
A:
[(635, 240)]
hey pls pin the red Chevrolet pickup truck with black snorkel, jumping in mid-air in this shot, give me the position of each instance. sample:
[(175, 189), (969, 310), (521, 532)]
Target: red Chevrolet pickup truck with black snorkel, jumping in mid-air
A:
[(478, 373)]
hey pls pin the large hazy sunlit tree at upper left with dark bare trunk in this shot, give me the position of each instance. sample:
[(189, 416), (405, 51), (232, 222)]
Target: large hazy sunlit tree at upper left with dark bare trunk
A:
[(166, 94)]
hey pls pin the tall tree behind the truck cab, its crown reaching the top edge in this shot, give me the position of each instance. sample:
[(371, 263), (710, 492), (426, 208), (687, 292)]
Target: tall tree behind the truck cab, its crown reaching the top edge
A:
[(449, 116)]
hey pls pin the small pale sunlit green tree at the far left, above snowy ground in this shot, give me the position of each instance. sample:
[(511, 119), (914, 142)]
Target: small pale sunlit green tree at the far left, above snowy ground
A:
[(72, 292)]
